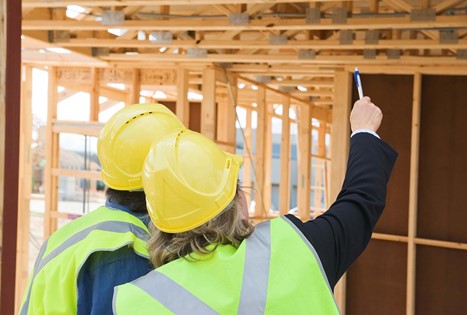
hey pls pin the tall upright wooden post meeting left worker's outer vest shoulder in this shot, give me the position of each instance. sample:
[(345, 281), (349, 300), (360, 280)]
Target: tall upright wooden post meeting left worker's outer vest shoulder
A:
[(51, 155)]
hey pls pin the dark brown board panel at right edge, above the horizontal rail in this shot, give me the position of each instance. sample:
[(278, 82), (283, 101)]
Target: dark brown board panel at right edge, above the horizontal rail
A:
[(443, 156)]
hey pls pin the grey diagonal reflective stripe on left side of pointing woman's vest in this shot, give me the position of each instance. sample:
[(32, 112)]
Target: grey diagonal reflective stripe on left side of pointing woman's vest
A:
[(170, 294)]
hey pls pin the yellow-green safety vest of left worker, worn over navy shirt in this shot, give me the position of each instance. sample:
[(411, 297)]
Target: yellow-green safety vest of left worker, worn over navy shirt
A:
[(52, 287)]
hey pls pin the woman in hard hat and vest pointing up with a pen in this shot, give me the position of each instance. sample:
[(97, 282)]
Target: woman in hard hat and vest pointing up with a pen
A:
[(210, 260)]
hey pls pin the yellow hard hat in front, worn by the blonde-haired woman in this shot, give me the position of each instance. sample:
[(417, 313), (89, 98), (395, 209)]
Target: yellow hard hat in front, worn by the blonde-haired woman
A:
[(188, 180)]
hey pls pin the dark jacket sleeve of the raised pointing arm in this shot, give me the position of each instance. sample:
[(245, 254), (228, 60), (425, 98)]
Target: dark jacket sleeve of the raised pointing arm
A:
[(341, 234)]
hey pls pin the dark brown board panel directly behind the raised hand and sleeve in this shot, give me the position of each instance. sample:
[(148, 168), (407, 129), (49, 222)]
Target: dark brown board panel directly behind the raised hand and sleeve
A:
[(393, 94)]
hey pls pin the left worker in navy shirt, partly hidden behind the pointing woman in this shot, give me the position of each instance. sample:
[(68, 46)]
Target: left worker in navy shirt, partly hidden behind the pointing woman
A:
[(79, 265)]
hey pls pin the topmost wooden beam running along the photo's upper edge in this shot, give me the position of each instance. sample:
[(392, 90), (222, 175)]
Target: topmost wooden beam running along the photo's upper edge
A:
[(111, 3)]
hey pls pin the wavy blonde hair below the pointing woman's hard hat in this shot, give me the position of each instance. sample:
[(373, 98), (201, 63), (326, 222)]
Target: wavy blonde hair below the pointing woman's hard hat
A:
[(227, 228)]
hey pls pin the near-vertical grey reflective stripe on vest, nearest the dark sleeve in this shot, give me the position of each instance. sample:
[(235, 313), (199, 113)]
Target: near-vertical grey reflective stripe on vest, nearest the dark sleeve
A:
[(256, 271)]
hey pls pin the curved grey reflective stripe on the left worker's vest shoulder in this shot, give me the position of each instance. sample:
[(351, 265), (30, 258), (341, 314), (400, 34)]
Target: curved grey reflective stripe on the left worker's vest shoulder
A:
[(110, 226)]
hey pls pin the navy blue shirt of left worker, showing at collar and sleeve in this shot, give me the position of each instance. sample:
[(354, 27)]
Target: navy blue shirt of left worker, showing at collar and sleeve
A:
[(104, 270)]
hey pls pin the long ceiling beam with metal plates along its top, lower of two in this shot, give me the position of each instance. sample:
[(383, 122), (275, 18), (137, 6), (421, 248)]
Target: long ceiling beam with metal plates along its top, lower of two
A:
[(263, 44)]
